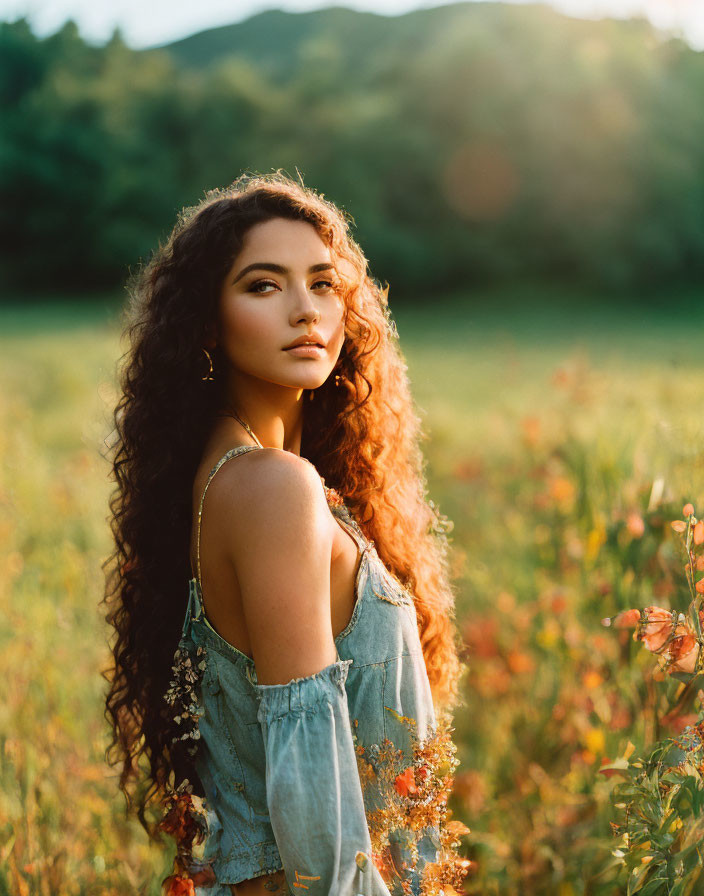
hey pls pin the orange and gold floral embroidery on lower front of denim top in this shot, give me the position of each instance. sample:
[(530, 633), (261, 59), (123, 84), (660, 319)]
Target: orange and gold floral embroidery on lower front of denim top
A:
[(415, 798)]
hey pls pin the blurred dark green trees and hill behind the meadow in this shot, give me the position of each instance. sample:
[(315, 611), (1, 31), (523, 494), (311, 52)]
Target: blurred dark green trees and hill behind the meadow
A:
[(470, 142)]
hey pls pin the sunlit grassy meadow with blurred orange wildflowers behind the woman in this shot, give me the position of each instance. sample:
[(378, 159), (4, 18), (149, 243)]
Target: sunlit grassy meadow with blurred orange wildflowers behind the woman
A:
[(548, 433)]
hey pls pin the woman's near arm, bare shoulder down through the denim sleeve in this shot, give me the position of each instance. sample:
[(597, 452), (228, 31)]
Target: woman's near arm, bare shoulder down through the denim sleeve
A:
[(281, 548)]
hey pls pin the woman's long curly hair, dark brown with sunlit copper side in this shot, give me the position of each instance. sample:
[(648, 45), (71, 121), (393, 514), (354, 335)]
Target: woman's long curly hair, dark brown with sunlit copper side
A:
[(363, 438)]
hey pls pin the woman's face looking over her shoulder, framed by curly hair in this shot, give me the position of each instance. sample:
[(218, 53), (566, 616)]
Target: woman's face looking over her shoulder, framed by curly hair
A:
[(282, 286)]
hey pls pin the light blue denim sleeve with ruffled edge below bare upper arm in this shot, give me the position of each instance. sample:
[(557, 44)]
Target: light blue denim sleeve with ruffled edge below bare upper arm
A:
[(314, 793)]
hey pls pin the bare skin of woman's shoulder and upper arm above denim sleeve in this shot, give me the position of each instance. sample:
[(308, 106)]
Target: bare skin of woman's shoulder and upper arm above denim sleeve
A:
[(280, 544)]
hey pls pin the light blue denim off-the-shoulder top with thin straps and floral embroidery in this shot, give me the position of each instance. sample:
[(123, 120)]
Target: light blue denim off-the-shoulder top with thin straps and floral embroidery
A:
[(340, 778)]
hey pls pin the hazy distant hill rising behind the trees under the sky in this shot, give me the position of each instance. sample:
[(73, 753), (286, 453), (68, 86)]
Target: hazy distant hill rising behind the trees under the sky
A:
[(364, 45)]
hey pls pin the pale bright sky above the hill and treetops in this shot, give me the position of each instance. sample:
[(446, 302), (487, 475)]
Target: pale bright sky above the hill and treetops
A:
[(160, 21)]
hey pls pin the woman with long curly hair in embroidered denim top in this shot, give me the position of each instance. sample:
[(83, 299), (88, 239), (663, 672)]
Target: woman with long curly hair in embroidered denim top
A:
[(293, 696)]
